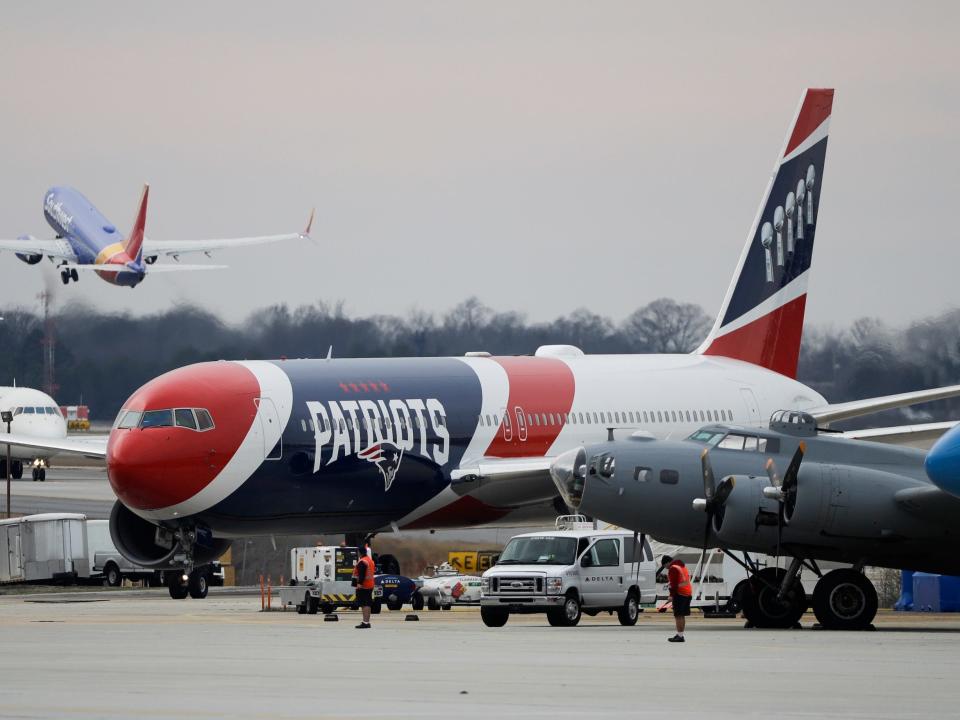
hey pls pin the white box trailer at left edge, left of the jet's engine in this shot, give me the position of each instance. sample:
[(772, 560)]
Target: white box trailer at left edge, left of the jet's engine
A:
[(51, 546)]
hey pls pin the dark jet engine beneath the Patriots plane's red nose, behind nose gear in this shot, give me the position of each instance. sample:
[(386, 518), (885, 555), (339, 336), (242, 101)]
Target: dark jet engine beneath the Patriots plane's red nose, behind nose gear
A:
[(143, 543)]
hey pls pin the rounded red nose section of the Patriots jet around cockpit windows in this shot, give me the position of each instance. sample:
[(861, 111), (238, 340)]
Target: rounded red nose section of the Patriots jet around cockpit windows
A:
[(156, 467)]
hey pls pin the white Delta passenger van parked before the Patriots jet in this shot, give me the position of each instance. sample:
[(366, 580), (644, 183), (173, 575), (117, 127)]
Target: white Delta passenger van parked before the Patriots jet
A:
[(571, 570)]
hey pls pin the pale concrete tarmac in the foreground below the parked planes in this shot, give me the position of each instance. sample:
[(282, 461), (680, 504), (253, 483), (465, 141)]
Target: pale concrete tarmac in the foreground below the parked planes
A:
[(138, 653)]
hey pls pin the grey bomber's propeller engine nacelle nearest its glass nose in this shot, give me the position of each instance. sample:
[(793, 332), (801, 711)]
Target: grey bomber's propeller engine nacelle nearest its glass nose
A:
[(747, 518)]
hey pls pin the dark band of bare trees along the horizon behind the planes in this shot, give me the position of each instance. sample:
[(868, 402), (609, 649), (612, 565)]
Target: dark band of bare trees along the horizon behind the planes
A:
[(101, 358)]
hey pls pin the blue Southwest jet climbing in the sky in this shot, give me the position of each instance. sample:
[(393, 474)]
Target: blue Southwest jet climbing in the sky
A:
[(86, 240)]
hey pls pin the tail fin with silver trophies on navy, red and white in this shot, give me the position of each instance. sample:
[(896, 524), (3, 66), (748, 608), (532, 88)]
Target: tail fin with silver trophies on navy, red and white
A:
[(761, 320)]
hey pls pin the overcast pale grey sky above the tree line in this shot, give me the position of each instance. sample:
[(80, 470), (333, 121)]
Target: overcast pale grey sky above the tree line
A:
[(542, 156)]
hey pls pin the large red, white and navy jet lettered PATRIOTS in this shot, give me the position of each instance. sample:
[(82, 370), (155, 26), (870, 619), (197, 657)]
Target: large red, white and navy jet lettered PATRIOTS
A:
[(219, 450)]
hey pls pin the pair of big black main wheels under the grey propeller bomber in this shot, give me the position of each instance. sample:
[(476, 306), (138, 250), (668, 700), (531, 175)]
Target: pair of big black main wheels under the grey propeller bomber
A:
[(843, 599)]
